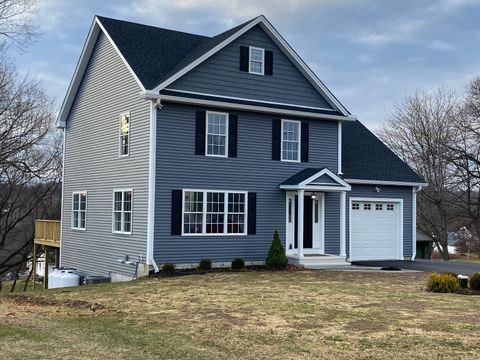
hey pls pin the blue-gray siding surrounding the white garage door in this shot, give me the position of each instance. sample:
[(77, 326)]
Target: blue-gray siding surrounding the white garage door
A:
[(398, 192)]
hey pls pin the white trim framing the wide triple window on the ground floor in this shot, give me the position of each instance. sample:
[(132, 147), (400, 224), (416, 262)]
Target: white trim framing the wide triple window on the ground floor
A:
[(225, 212)]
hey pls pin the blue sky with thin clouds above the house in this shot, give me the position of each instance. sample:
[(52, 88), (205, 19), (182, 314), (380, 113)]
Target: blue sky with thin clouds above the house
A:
[(370, 53)]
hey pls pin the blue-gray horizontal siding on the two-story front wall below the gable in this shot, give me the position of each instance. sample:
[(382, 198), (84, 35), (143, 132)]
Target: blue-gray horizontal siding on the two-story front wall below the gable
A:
[(253, 170)]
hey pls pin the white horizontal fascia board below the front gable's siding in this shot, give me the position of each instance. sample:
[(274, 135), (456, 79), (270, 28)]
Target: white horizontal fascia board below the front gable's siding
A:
[(261, 109)]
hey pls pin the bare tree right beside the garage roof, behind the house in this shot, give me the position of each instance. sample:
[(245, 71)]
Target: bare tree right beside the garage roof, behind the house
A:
[(420, 130)]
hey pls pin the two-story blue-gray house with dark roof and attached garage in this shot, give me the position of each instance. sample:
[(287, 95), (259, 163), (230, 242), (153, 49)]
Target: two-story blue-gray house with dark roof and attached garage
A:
[(179, 147)]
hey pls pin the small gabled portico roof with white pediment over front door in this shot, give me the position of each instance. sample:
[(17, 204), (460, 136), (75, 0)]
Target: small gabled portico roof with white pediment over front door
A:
[(315, 179)]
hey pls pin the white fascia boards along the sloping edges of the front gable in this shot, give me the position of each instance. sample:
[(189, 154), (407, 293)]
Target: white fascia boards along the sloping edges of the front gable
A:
[(280, 41)]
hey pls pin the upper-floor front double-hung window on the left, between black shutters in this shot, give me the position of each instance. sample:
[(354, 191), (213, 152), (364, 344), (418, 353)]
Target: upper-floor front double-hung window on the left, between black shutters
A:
[(217, 134)]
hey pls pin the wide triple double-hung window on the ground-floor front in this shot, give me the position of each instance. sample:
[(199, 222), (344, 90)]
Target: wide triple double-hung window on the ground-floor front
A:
[(214, 212)]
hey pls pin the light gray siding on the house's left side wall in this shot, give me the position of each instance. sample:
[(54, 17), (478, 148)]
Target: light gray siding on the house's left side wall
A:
[(92, 164)]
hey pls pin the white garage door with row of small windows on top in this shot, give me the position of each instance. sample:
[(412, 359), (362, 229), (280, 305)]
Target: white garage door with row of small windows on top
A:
[(375, 232)]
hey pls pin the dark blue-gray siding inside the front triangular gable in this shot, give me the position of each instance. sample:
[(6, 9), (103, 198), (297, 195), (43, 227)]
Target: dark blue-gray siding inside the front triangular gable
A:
[(221, 75)]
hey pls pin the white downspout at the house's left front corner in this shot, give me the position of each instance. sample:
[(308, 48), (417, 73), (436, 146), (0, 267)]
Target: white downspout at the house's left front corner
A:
[(154, 105)]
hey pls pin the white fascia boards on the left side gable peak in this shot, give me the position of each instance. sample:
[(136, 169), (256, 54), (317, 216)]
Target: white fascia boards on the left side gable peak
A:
[(82, 64)]
